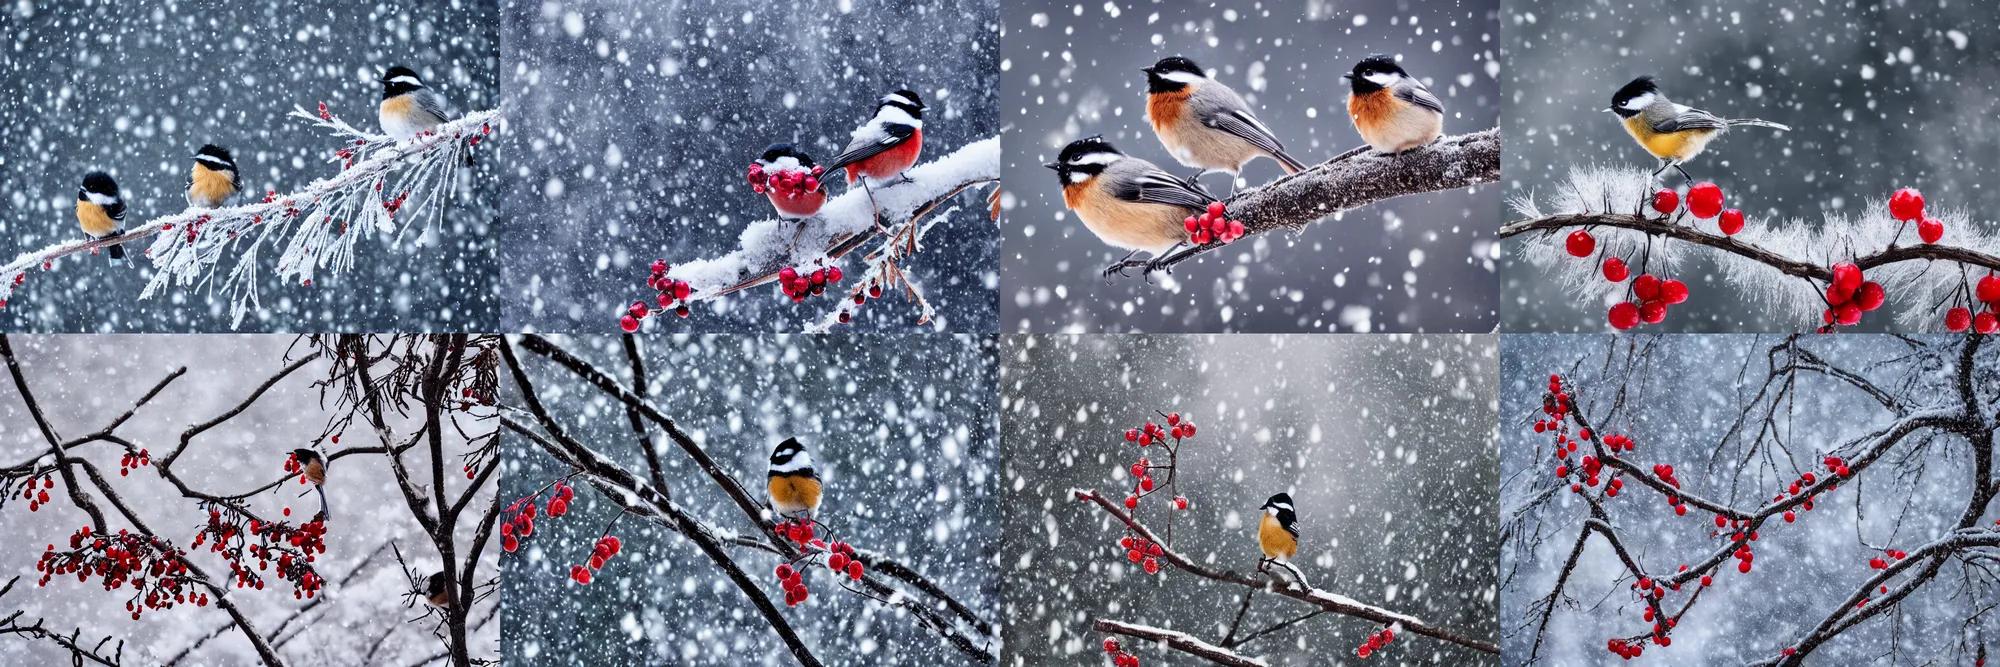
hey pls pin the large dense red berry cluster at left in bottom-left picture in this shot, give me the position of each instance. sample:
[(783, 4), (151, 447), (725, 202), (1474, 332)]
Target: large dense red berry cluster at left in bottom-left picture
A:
[(153, 568)]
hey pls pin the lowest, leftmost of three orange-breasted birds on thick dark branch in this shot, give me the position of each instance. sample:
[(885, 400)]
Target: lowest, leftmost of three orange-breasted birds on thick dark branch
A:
[(1127, 203)]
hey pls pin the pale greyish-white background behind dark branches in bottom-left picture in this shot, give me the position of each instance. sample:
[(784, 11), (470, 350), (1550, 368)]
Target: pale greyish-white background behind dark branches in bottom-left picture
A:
[(85, 382)]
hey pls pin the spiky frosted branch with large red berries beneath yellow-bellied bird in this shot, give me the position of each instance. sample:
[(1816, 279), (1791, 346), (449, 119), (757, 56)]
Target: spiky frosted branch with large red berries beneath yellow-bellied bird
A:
[(1927, 267)]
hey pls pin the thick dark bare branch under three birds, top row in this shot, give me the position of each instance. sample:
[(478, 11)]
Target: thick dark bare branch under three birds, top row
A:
[(1359, 179)]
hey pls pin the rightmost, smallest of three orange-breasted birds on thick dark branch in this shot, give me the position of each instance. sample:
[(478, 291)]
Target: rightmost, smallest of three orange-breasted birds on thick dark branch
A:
[(1391, 109)]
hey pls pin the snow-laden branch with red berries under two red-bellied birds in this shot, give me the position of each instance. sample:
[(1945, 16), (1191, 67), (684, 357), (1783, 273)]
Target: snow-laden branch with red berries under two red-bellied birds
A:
[(889, 229)]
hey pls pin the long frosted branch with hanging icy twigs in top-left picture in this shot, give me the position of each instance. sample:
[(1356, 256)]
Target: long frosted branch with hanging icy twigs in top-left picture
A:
[(381, 189)]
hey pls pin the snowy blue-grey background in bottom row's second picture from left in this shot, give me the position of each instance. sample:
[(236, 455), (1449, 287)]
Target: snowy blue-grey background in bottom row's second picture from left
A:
[(901, 434)]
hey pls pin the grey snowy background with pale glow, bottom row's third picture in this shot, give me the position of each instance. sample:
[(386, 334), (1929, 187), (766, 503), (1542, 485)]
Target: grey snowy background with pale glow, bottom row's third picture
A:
[(1385, 442)]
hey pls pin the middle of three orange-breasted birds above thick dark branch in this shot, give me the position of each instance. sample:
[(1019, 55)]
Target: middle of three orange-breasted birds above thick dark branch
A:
[(1205, 125)]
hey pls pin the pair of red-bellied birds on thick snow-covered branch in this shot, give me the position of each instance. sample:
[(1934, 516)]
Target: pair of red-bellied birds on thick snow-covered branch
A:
[(881, 151)]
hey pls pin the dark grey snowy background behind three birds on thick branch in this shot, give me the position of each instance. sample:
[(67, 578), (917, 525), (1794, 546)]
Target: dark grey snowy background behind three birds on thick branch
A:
[(1409, 265)]
